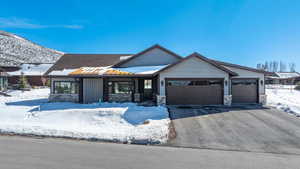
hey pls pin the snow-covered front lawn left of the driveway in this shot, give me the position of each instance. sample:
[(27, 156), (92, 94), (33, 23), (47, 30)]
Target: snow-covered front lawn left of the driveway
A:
[(30, 113)]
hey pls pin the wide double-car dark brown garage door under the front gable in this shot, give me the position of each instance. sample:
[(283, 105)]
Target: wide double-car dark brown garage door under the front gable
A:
[(195, 91)]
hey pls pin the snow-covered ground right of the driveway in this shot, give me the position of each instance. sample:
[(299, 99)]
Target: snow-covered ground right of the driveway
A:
[(287, 100)]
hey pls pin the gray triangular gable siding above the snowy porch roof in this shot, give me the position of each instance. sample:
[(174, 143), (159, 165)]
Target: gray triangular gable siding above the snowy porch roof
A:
[(153, 57)]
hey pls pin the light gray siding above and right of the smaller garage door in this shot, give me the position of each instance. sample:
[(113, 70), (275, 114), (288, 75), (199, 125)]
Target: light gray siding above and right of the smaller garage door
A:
[(249, 74)]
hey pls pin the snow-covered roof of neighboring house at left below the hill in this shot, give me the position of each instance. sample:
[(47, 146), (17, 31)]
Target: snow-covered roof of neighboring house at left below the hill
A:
[(32, 69)]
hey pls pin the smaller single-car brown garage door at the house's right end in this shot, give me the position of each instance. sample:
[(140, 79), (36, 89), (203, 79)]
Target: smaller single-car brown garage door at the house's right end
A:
[(244, 91)]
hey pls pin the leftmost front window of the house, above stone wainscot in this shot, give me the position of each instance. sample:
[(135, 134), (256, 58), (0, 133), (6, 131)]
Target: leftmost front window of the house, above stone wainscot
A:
[(65, 87)]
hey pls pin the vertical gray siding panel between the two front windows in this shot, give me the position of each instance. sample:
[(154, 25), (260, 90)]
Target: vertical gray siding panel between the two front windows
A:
[(92, 90)]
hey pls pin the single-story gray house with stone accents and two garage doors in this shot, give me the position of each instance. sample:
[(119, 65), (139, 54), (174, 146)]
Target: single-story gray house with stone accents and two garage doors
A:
[(155, 74)]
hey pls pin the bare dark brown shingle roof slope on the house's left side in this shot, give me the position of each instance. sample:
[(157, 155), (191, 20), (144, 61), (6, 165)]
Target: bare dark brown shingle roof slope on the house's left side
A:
[(74, 61)]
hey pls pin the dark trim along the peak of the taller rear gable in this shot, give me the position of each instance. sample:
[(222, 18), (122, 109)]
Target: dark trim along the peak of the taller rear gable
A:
[(145, 51)]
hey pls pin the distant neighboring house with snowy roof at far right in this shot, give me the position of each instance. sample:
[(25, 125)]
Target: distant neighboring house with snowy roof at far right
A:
[(284, 78)]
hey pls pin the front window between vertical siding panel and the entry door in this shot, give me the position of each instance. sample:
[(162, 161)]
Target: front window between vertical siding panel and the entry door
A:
[(120, 87)]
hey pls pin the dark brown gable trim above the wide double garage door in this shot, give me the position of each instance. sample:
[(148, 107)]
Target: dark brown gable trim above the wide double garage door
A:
[(197, 55)]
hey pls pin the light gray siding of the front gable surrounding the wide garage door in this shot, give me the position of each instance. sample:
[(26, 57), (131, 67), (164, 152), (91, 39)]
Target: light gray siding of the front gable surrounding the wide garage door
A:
[(192, 68)]
